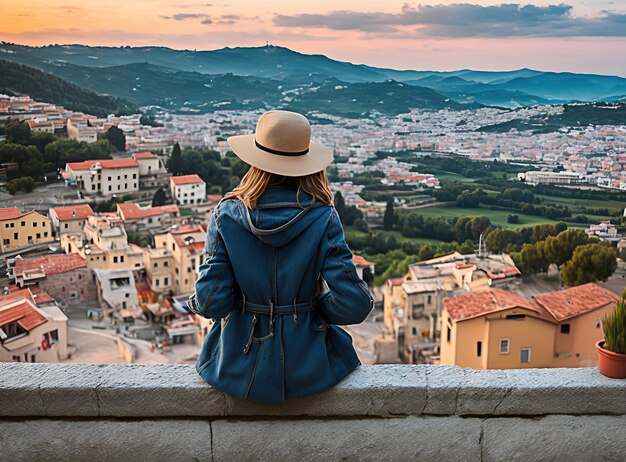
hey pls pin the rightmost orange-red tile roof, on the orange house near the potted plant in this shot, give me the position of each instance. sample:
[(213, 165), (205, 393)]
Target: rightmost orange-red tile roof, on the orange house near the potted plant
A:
[(567, 303)]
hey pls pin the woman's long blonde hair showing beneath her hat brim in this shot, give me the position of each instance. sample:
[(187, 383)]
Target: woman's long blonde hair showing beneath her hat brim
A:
[(255, 182)]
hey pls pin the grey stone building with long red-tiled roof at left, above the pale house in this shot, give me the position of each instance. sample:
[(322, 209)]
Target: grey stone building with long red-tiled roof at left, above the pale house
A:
[(65, 277)]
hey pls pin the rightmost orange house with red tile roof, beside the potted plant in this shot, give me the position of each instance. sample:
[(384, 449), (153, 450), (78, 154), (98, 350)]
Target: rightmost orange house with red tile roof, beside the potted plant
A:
[(578, 312)]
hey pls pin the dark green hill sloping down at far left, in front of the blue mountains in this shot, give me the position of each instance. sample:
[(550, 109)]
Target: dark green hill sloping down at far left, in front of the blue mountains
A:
[(17, 79)]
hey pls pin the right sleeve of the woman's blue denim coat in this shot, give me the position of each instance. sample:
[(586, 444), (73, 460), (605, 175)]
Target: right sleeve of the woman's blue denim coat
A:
[(348, 299)]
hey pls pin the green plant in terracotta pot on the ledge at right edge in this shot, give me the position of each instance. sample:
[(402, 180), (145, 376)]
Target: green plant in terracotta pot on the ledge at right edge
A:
[(612, 350)]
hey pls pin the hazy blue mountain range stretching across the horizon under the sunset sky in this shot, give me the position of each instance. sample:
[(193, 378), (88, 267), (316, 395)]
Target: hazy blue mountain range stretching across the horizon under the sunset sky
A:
[(277, 77)]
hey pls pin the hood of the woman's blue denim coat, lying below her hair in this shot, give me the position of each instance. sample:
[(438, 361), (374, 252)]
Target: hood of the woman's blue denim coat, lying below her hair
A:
[(281, 215)]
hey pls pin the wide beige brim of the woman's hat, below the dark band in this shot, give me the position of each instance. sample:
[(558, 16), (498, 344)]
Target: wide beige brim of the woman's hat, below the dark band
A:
[(318, 158)]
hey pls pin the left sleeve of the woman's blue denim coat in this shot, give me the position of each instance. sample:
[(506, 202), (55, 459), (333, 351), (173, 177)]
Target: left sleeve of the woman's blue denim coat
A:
[(214, 296)]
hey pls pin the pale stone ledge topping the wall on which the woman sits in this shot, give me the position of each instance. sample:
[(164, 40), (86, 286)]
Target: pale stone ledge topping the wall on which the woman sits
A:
[(122, 390)]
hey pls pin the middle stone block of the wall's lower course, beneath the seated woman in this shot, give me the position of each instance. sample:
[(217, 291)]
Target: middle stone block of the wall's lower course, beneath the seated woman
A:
[(424, 438)]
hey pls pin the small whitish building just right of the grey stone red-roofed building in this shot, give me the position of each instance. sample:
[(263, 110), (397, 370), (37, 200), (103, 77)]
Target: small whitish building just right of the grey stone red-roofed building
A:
[(117, 293)]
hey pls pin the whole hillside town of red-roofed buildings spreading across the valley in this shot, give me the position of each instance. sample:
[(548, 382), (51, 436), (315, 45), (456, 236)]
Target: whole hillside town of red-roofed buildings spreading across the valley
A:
[(73, 273)]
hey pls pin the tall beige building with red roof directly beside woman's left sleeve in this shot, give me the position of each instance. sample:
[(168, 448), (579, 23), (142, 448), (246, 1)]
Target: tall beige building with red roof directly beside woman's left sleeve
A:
[(174, 262)]
